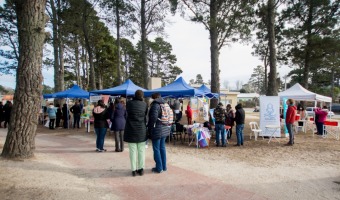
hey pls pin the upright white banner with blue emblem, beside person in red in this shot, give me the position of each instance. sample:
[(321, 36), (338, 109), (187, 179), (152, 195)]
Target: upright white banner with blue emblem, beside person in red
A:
[(270, 116)]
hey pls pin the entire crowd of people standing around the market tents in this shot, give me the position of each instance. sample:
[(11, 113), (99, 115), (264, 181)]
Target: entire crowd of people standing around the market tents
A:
[(136, 122)]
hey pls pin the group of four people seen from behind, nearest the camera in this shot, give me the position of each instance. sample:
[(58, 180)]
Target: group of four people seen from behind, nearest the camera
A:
[(134, 124)]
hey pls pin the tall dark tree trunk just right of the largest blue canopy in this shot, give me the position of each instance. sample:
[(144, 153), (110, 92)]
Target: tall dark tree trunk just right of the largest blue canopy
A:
[(214, 53)]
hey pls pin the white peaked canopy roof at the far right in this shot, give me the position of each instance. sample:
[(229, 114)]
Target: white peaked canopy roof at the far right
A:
[(297, 92)]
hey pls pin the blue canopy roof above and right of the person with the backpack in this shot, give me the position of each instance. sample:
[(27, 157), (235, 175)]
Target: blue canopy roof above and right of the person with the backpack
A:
[(178, 88)]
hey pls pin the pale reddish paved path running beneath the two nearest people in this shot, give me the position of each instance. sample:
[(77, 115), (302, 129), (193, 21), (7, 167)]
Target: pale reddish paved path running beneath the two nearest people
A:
[(110, 171)]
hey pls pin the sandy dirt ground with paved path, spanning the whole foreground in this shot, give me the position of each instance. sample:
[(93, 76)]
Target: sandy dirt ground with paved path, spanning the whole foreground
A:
[(66, 166)]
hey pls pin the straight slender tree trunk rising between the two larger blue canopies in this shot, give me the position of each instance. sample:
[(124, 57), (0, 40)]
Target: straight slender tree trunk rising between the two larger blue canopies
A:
[(143, 43)]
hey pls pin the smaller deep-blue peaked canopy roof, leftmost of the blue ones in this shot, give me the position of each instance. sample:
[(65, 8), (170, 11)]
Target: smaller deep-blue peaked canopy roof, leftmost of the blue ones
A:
[(74, 92)]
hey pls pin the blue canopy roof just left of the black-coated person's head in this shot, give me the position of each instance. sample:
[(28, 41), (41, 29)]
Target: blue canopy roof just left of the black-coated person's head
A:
[(128, 88)]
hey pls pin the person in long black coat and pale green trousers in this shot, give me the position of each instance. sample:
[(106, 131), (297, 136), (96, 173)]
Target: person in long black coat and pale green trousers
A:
[(135, 132)]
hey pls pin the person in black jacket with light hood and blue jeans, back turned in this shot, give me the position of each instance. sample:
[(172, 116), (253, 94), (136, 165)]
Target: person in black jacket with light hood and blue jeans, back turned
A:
[(100, 115)]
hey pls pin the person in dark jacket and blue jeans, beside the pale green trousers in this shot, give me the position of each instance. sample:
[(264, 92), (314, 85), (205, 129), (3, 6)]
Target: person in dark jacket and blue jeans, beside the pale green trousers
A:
[(158, 133)]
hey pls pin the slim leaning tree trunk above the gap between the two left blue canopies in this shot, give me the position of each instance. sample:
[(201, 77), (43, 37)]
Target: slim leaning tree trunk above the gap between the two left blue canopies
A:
[(92, 85)]
